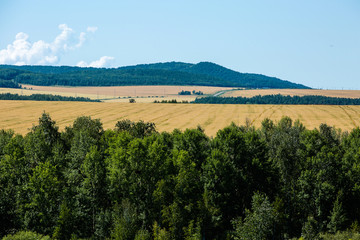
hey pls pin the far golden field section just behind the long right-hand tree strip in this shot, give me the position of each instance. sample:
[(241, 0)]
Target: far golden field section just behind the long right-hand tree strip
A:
[(294, 92)]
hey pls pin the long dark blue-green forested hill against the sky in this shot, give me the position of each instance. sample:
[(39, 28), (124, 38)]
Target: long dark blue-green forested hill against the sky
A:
[(171, 73)]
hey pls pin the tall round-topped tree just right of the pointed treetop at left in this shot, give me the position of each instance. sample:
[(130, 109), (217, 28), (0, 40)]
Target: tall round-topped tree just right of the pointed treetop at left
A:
[(85, 176)]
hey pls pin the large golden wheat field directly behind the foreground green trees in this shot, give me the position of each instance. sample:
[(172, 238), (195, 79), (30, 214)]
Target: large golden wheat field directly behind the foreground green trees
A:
[(21, 115)]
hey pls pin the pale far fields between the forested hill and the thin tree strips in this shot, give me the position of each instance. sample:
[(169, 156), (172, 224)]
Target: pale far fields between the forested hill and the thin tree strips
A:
[(147, 94)]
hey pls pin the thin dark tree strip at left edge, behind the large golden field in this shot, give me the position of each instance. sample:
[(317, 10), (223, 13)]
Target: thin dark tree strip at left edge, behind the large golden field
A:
[(43, 97)]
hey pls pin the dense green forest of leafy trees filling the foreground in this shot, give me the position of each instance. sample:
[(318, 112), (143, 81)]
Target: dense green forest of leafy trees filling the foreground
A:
[(279, 181)]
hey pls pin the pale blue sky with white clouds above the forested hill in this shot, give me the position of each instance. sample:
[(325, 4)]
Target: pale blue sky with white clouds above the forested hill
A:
[(315, 43)]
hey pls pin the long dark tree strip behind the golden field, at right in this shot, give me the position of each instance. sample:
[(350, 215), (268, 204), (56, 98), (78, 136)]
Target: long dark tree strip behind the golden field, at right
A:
[(280, 99)]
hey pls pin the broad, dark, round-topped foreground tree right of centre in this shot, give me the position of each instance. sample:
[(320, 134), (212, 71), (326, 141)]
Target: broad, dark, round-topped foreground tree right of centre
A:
[(236, 169)]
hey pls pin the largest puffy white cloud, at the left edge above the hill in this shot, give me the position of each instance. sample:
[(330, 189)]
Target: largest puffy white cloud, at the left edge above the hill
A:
[(21, 51)]
